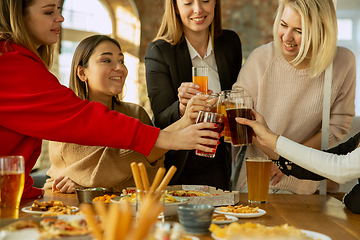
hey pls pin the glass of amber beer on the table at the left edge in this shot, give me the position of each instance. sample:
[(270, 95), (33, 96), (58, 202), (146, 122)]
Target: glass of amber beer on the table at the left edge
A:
[(12, 177)]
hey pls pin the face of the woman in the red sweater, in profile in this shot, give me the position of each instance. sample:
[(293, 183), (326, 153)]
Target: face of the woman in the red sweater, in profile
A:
[(43, 22)]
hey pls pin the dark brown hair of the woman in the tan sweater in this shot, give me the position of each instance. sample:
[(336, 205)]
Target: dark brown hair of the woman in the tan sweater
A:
[(81, 57)]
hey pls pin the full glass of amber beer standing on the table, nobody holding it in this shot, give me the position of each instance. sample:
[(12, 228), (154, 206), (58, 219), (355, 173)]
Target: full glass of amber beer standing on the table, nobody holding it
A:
[(258, 178)]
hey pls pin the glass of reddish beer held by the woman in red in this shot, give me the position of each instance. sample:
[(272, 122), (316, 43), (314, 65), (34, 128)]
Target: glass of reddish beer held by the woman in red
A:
[(210, 117)]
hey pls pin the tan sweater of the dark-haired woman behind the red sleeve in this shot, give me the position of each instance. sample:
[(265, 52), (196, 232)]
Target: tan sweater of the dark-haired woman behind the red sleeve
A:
[(91, 166)]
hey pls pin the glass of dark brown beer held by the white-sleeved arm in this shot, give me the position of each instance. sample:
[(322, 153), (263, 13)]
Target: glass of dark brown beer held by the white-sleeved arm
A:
[(239, 104)]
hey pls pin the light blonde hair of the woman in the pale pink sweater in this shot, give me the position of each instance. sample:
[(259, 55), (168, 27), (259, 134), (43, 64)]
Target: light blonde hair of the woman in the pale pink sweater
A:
[(319, 32)]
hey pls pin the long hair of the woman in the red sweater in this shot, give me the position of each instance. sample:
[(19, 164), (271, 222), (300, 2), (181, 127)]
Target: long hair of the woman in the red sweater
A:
[(13, 29)]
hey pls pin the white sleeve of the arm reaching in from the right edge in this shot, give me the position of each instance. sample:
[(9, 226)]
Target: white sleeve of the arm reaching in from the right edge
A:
[(339, 168)]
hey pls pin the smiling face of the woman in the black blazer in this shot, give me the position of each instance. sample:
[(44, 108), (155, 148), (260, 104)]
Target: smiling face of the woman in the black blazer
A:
[(196, 15)]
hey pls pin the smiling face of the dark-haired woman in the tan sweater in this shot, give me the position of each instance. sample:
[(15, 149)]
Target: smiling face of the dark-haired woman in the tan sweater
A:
[(106, 72)]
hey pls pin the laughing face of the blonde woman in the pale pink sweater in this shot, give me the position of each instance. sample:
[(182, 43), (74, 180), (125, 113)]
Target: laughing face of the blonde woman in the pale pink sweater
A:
[(290, 33)]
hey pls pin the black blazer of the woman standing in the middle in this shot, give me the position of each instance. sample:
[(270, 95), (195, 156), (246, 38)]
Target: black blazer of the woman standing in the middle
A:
[(167, 66)]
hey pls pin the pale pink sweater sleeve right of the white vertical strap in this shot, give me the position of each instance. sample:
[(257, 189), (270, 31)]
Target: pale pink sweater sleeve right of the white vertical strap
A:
[(343, 108)]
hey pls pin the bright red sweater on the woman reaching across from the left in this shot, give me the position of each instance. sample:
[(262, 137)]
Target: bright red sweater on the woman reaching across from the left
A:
[(35, 106)]
